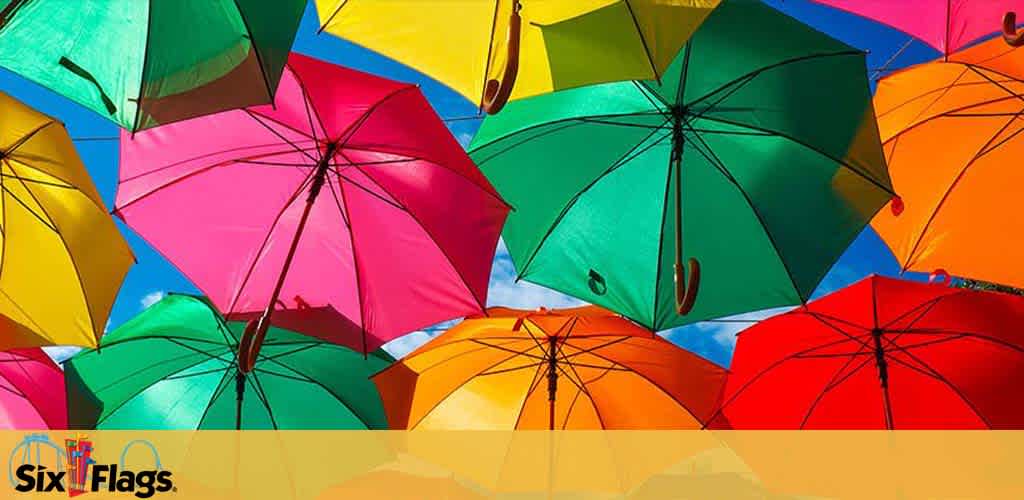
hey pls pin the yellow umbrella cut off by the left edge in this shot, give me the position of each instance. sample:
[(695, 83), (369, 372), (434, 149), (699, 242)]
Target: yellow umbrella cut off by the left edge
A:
[(61, 249)]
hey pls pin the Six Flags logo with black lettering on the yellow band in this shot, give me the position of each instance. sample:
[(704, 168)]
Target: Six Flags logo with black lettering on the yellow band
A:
[(78, 473)]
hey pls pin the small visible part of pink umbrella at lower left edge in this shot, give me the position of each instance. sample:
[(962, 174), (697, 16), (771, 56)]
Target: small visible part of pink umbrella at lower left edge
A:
[(33, 396)]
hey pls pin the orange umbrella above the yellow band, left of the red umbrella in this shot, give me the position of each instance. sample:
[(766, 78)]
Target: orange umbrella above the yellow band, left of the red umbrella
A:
[(583, 368)]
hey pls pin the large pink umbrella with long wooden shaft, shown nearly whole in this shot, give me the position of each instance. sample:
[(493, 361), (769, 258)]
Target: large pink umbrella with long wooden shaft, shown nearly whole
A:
[(350, 186)]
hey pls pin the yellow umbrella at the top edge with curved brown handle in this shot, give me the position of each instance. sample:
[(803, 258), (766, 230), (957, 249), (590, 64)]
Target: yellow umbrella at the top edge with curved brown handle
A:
[(479, 47)]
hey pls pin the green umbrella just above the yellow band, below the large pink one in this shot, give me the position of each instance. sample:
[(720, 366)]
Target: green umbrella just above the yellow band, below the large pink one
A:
[(174, 367)]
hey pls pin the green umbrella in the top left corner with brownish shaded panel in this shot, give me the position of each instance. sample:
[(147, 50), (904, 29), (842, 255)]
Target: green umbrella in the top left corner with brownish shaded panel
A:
[(144, 64)]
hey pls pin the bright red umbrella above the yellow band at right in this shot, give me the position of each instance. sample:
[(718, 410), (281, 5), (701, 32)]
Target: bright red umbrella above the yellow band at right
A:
[(882, 354)]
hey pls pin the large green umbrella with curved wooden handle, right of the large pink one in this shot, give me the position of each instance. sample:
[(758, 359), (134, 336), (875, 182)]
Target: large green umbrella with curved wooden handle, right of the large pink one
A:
[(760, 152)]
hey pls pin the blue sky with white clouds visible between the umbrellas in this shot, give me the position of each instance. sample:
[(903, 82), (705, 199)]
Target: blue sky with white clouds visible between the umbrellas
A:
[(153, 276)]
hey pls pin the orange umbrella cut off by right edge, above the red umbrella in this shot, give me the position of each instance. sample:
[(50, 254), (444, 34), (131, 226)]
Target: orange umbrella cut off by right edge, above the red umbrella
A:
[(953, 138)]
